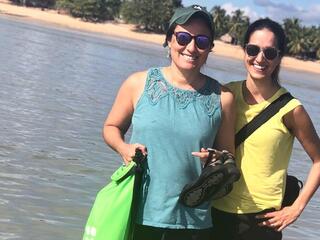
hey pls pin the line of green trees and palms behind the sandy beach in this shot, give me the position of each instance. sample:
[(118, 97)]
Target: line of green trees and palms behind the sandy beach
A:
[(153, 16)]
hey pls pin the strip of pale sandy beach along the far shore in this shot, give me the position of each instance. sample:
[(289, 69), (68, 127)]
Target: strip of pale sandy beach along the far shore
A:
[(127, 31)]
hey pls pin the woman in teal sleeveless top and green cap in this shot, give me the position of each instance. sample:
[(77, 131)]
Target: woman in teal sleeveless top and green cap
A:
[(174, 111)]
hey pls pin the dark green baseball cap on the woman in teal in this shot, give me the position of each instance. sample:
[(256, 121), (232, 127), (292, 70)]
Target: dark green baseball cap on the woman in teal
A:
[(183, 14)]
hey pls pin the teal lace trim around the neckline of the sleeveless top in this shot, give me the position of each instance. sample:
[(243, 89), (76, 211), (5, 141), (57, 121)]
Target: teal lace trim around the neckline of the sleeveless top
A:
[(157, 87)]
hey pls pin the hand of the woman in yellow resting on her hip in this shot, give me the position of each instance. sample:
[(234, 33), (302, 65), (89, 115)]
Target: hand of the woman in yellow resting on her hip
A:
[(280, 219)]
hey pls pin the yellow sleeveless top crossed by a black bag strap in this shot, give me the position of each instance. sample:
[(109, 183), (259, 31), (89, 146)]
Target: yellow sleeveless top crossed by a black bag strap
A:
[(263, 157)]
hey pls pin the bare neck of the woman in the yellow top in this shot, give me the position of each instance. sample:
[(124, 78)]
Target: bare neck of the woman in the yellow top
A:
[(259, 90)]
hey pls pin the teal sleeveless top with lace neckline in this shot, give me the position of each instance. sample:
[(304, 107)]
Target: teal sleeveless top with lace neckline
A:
[(172, 123)]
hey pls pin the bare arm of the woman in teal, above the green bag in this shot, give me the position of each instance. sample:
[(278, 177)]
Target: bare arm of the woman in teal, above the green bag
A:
[(119, 118)]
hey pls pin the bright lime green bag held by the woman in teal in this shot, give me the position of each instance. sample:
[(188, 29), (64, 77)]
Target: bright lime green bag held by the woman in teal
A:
[(112, 214)]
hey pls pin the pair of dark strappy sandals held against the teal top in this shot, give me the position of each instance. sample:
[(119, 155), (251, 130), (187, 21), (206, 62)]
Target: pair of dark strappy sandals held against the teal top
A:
[(216, 180)]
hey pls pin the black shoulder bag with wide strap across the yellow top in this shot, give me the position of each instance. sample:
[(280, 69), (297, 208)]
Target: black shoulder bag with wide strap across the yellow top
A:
[(293, 184)]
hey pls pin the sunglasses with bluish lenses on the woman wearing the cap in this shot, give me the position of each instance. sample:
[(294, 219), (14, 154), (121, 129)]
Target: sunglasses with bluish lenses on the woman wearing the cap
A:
[(184, 38)]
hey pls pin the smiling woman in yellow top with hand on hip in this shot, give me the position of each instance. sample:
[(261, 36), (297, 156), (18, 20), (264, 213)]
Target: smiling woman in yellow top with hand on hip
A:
[(253, 208)]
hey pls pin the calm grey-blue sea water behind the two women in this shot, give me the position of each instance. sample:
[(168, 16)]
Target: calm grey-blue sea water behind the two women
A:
[(56, 88)]
